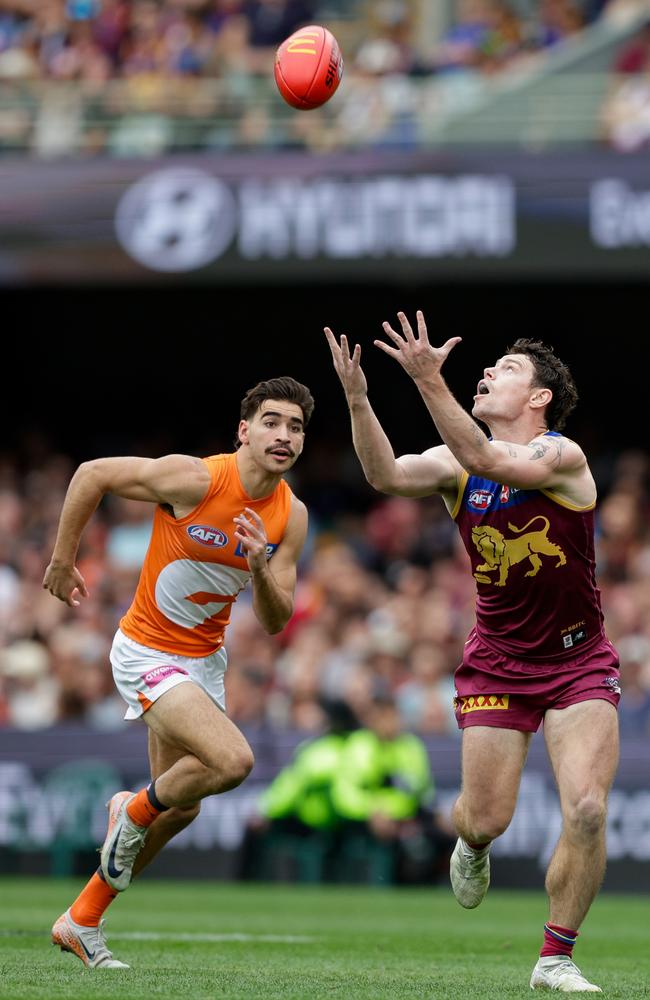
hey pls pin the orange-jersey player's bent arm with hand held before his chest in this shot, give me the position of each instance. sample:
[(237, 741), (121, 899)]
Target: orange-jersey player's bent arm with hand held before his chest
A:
[(274, 580)]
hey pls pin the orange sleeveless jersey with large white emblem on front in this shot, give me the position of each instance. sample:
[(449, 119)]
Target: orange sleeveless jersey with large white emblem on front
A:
[(194, 569)]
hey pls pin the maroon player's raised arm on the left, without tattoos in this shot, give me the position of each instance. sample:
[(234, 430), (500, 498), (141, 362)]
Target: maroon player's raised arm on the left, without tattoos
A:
[(434, 471)]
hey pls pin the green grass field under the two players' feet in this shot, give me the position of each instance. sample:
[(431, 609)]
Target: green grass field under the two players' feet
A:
[(220, 940)]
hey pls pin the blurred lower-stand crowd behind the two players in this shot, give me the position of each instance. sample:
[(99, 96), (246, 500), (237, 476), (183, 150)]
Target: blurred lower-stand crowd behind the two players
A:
[(384, 602)]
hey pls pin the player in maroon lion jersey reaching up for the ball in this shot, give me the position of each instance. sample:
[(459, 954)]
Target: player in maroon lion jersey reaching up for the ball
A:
[(523, 500)]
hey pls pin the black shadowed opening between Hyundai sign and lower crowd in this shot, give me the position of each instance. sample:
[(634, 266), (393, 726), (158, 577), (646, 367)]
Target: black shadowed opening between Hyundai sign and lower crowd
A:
[(126, 364)]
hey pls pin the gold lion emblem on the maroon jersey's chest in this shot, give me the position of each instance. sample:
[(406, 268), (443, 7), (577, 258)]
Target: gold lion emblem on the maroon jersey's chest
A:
[(501, 553)]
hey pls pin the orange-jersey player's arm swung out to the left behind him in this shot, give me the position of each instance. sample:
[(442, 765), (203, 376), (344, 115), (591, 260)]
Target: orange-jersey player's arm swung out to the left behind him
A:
[(179, 480)]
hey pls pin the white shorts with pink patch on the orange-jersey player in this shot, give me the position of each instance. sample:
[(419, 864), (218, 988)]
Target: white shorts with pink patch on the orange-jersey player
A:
[(142, 674)]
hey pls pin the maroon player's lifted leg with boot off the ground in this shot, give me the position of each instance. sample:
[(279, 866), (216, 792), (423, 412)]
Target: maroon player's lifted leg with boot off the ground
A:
[(492, 762)]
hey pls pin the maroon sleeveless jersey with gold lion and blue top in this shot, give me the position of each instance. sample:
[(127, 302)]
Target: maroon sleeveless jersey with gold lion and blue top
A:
[(532, 557)]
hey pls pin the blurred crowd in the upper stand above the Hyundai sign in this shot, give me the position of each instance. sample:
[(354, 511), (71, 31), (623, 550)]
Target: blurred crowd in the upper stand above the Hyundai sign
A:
[(148, 76)]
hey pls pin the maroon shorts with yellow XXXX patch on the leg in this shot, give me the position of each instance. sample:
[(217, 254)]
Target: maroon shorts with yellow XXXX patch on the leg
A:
[(495, 690)]
